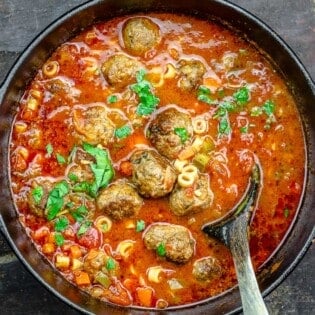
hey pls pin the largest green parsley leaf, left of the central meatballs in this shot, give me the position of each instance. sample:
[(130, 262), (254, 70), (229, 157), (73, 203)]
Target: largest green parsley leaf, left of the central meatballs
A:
[(103, 170)]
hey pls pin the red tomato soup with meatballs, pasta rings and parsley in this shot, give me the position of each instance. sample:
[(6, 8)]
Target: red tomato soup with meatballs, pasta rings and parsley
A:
[(136, 133)]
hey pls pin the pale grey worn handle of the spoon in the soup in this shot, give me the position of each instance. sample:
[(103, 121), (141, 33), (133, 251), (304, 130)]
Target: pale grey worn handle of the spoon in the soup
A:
[(252, 301)]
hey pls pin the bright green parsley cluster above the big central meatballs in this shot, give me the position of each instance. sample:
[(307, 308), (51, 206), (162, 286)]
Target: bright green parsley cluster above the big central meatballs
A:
[(147, 100)]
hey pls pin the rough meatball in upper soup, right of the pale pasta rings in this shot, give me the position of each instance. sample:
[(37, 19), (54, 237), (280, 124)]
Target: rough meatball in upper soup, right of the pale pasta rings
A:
[(191, 73)]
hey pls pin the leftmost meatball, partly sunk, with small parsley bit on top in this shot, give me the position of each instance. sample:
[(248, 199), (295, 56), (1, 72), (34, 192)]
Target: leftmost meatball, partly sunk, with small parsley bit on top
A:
[(38, 195)]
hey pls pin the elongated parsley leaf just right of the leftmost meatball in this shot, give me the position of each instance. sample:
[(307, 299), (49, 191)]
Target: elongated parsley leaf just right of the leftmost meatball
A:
[(55, 199)]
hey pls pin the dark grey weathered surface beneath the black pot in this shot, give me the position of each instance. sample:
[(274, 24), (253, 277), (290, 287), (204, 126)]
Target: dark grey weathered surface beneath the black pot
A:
[(20, 21)]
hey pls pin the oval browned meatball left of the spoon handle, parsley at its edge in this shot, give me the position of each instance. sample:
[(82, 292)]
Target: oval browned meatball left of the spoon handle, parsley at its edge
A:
[(176, 239)]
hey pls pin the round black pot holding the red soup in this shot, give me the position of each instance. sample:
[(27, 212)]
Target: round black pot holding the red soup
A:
[(299, 82)]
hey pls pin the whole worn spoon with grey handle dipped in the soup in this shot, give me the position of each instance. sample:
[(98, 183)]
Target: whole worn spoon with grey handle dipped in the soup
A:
[(232, 230)]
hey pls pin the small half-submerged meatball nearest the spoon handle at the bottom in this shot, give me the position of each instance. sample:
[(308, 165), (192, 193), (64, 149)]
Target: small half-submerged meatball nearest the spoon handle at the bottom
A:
[(206, 269)]
